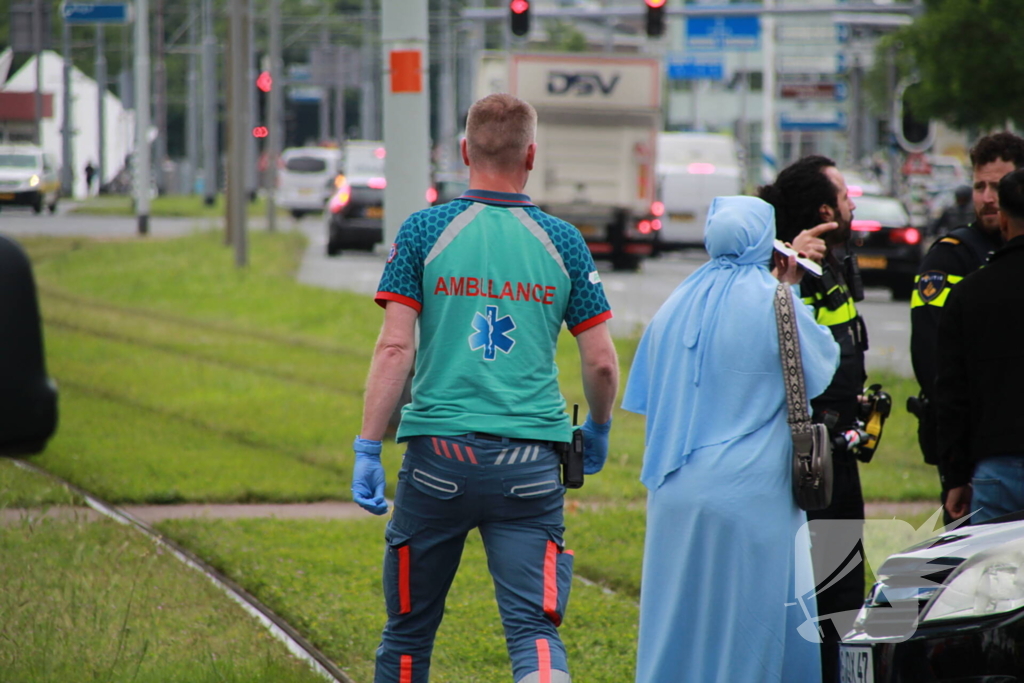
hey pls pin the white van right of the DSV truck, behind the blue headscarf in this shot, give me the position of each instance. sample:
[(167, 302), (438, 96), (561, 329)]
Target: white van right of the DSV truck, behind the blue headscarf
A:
[(694, 169)]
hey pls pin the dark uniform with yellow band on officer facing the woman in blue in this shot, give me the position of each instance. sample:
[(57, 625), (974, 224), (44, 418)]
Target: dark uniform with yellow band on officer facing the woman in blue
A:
[(835, 308)]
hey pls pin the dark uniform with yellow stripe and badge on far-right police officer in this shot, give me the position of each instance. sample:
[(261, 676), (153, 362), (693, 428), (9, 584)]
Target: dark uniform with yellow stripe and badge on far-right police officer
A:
[(950, 261)]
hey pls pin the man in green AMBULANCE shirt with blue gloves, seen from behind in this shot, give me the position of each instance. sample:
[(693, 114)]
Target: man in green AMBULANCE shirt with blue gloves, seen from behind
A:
[(490, 279)]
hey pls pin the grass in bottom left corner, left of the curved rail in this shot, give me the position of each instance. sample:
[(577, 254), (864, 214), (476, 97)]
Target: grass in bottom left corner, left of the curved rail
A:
[(96, 602)]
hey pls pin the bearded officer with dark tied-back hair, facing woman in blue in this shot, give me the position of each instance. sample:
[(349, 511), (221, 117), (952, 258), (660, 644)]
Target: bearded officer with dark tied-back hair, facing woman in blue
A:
[(815, 211)]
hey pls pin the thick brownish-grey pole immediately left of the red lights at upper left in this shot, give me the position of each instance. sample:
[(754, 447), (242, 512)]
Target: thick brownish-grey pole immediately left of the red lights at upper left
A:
[(238, 127)]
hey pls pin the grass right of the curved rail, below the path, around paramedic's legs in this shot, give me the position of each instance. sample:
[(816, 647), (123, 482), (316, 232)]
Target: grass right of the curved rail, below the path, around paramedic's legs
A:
[(325, 579)]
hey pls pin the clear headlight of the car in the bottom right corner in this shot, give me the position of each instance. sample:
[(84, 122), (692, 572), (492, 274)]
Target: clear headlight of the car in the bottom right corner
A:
[(991, 583)]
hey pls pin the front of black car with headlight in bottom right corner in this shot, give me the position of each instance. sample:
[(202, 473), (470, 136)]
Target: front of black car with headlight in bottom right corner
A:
[(950, 610)]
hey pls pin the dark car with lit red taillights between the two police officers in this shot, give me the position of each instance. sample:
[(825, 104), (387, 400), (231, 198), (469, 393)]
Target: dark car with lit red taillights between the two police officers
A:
[(887, 246)]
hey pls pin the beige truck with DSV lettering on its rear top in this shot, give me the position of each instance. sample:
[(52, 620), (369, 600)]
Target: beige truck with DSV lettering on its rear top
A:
[(599, 119)]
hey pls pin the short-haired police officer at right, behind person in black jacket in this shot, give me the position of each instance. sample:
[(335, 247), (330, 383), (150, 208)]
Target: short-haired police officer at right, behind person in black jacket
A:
[(951, 260)]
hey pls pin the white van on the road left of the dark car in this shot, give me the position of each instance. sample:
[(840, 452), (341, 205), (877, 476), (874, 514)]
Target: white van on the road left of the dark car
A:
[(306, 179)]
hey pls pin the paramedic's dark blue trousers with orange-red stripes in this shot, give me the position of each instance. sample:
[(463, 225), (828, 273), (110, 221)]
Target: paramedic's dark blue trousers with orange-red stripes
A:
[(511, 491)]
